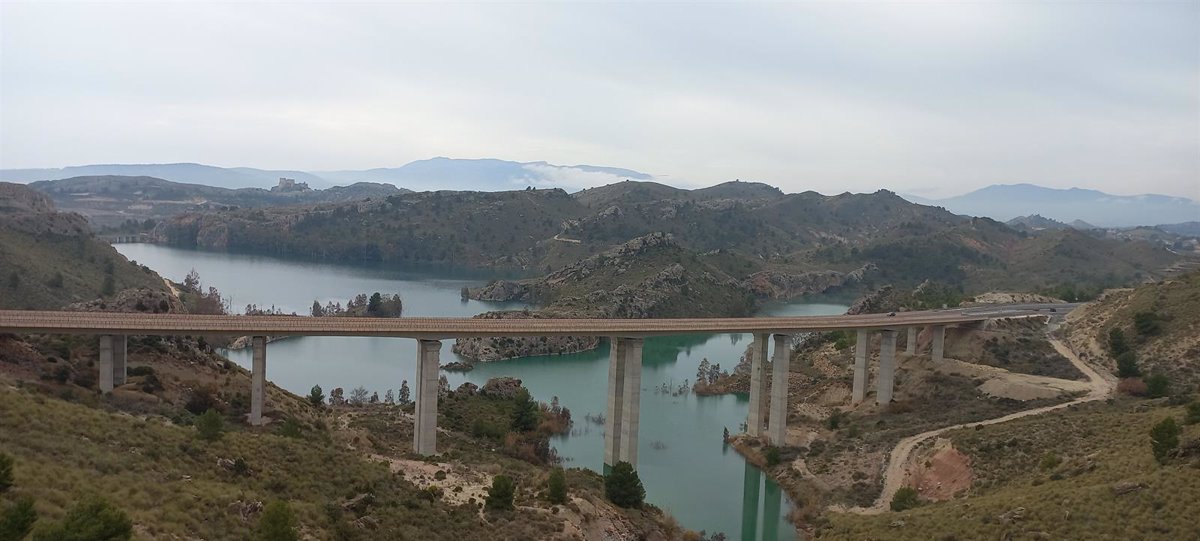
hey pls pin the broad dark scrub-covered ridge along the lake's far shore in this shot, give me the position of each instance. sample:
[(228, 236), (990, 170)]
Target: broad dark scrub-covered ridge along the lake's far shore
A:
[(747, 227)]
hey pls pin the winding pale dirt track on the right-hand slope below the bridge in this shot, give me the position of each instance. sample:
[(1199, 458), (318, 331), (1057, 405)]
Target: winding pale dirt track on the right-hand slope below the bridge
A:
[(1101, 387)]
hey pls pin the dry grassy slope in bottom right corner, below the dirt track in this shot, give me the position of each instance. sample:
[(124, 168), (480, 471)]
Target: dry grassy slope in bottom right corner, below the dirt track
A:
[(1095, 448)]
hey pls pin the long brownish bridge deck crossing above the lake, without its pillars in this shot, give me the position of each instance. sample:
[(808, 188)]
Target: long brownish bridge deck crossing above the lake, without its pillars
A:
[(112, 323)]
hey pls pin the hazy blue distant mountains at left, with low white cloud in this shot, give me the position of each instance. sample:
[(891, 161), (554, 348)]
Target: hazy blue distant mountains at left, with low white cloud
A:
[(434, 175)]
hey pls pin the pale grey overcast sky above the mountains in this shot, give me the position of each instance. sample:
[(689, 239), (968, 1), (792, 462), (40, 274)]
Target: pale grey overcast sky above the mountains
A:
[(932, 99)]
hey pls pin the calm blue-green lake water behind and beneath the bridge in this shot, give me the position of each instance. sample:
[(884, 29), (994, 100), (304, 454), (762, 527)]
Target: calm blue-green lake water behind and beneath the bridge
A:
[(686, 467)]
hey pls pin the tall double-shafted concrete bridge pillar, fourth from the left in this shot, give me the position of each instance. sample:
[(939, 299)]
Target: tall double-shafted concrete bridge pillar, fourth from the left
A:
[(623, 413)]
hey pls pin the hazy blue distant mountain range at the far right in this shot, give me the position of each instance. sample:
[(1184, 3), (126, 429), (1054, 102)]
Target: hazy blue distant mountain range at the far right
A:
[(1009, 202)]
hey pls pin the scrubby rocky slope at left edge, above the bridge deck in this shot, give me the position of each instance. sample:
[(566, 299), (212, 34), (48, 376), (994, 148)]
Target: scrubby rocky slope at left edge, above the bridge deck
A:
[(50, 260)]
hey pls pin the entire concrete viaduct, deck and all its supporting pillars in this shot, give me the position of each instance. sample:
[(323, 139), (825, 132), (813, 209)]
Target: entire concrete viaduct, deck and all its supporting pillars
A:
[(767, 417)]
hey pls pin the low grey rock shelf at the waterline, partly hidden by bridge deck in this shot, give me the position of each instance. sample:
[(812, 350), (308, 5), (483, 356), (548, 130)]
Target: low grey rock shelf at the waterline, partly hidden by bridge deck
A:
[(500, 347)]
